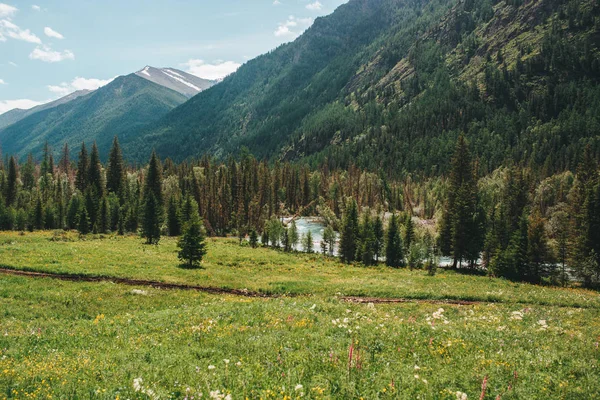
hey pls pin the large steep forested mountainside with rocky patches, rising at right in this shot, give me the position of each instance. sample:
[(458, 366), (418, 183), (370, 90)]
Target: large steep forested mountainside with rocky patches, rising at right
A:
[(390, 84)]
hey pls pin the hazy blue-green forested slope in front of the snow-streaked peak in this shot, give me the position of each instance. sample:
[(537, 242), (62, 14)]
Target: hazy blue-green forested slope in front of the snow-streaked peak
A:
[(118, 108)]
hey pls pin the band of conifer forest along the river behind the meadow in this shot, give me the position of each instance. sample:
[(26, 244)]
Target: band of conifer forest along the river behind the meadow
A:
[(511, 223)]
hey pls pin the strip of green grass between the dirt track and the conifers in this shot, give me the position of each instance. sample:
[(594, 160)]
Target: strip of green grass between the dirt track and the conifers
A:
[(229, 265)]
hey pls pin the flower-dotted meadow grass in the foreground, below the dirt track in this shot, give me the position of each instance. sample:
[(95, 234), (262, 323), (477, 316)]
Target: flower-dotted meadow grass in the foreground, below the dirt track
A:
[(83, 340)]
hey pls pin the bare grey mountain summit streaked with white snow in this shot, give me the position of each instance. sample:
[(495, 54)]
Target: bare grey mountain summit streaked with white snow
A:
[(174, 79)]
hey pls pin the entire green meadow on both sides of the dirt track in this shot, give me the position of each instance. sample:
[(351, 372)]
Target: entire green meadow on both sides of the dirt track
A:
[(61, 339)]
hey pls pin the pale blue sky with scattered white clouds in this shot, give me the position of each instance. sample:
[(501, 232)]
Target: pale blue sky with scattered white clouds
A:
[(49, 49)]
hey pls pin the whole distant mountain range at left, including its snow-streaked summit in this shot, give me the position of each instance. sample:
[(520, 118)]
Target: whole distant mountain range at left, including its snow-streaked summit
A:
[(118, 108)]
